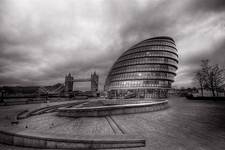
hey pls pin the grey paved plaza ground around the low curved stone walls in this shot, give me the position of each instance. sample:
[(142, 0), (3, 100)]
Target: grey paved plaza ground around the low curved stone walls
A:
[(186, 125)]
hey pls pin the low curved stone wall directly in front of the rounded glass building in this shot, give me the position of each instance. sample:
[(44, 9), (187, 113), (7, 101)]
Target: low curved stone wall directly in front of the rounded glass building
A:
[(112, 109)]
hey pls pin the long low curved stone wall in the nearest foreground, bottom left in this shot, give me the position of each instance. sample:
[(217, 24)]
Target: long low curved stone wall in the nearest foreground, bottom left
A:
[(30, 138)]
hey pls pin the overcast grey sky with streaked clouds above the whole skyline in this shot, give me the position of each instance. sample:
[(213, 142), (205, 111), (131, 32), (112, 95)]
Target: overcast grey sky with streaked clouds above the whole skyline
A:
[(42, 40)]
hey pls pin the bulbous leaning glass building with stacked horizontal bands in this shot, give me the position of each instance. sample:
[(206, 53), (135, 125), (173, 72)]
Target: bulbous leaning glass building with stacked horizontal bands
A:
[(146, 70)]
